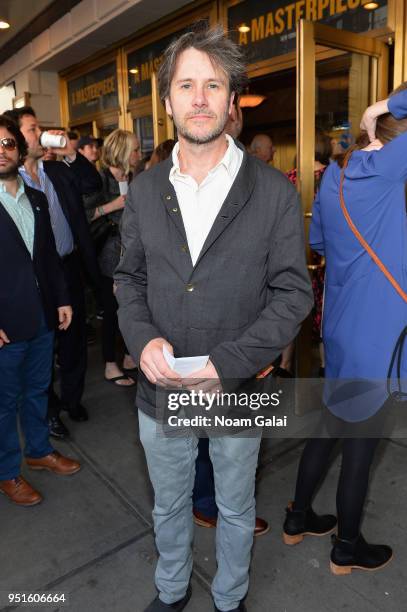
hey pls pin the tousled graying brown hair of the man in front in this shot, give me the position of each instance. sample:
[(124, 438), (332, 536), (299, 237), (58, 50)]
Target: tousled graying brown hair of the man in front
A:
[(222, 51)]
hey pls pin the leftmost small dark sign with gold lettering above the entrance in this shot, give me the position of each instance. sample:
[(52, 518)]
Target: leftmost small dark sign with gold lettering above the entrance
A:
[(93, 92)]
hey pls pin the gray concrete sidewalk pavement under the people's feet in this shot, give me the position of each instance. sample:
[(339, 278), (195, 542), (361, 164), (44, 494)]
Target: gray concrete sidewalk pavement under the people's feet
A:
[(92, 539)]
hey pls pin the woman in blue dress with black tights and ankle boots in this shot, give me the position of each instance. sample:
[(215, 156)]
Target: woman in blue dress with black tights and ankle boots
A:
[(364, 316)]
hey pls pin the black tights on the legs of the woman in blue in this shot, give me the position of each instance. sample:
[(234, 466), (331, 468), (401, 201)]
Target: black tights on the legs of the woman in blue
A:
[(357, 456)]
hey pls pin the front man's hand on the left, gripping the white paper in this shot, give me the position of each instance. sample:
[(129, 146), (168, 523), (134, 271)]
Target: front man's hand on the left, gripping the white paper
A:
[(154, 366)]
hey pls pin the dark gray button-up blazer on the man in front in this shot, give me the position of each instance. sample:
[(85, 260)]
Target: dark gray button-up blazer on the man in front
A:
[(246, 296)]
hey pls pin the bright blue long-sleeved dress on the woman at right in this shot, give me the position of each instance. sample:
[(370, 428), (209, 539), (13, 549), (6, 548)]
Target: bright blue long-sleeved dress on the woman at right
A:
[(363, 314)]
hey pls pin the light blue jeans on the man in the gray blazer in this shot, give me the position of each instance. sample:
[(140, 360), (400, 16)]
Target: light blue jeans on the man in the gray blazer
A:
[(171, 466)]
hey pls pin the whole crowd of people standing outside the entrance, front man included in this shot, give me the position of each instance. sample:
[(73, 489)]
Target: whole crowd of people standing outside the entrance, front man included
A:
[(162, 245)]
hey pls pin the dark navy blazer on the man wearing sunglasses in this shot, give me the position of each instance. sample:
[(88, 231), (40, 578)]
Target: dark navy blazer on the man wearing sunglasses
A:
[(29, 287)]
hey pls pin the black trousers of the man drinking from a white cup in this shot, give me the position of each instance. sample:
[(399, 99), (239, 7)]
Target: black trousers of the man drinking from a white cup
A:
[(71, 345)]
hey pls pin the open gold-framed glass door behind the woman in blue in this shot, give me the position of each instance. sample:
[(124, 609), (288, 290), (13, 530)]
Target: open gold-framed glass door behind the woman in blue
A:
[(338, 75)]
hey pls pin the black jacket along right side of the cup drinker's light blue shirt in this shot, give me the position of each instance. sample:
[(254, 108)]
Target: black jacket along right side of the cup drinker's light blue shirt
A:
[(66, 187)]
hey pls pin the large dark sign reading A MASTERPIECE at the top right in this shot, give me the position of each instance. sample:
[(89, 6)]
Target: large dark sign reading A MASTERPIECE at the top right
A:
[(272, 23)]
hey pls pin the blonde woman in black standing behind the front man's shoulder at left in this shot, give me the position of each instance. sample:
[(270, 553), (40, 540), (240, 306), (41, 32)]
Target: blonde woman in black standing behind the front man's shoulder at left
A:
[(121, 155)]
